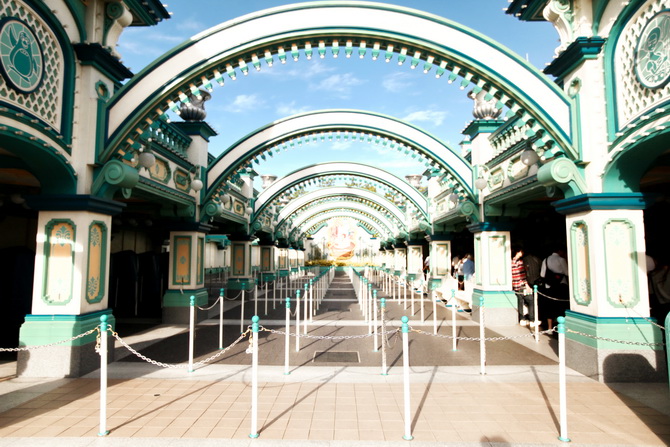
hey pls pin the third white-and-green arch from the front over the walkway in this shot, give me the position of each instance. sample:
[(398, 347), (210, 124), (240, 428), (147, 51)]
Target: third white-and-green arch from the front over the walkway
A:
[(338, 169)]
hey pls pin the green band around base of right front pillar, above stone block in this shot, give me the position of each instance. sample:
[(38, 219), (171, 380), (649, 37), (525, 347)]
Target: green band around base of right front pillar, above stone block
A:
[(627, 329)]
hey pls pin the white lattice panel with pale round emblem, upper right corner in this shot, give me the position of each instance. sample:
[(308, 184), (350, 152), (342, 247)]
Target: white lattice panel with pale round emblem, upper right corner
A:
[(642, 61)]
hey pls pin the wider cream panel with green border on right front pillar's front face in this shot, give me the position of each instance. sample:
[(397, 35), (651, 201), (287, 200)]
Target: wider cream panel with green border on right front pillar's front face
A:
[(621, 263)]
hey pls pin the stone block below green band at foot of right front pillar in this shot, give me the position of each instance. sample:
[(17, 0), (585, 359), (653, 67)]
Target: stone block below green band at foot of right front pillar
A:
[(609, 365)]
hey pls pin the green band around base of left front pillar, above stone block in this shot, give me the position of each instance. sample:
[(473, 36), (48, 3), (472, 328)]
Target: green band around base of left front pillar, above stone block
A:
[(44, 329)]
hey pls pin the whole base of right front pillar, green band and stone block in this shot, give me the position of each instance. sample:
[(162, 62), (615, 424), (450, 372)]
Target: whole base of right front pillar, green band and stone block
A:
[(607, 361)]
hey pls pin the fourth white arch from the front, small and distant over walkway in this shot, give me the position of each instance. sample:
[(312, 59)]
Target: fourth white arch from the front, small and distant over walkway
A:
[(336, 197)]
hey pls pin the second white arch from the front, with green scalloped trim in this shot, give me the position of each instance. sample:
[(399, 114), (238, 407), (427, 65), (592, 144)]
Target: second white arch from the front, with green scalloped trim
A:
[(338, 125)]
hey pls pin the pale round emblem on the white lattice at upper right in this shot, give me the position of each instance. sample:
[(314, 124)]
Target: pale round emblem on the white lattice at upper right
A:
[(652, 56)]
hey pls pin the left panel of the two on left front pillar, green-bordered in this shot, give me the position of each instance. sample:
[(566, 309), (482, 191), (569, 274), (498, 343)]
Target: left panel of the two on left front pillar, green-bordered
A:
[(59, 262)]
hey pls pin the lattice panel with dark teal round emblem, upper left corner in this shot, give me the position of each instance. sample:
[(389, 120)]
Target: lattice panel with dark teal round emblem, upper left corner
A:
[(31, 62)]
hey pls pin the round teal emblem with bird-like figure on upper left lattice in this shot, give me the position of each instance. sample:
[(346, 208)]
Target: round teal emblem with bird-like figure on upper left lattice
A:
[(21, 61)]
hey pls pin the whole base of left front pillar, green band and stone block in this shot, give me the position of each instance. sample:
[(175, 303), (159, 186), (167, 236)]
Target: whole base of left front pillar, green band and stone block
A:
[(73, 359)]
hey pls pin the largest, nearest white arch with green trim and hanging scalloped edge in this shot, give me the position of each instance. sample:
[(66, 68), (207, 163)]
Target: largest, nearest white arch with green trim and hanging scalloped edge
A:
[(308, 29)]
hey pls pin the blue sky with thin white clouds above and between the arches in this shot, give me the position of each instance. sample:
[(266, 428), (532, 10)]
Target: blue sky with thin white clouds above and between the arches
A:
[(253, 101)]
